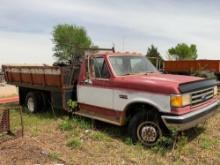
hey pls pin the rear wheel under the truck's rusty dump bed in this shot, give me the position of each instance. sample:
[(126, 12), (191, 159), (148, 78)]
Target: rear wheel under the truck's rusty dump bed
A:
[(32, 102)]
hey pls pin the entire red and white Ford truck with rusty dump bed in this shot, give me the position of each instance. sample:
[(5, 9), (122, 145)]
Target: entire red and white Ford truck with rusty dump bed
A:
[(122, 89)]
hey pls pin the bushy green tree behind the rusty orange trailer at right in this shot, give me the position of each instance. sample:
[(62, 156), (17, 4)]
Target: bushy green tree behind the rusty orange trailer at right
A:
[(183, 52)]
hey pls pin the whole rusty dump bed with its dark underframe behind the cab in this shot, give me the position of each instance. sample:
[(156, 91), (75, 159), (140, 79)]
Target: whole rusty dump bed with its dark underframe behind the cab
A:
[(54, 80)]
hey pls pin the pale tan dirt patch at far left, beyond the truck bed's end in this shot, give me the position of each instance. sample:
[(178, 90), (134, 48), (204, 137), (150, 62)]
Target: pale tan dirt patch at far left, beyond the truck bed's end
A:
[(8, 90)]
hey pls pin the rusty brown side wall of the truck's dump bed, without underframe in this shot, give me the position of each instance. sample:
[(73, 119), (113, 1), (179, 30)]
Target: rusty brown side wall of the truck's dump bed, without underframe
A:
[(52, 77)]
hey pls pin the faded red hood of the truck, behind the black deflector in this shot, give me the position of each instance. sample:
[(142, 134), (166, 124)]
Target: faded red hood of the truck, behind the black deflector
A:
[(154, 82)]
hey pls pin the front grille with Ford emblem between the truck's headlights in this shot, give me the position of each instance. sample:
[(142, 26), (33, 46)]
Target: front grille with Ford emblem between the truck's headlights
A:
[(202, 96)]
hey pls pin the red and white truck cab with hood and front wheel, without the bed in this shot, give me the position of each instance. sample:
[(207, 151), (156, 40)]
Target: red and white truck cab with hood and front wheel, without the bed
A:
[(125, 88)]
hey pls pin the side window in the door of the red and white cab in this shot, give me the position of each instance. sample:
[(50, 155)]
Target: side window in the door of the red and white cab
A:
[(99, 68)]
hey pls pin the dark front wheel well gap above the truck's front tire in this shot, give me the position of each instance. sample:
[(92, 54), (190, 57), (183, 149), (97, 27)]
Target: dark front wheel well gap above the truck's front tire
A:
[(133, 108)]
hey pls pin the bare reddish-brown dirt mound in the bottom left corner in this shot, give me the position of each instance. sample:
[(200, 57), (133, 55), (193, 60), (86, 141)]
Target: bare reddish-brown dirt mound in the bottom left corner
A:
[(24, 151)]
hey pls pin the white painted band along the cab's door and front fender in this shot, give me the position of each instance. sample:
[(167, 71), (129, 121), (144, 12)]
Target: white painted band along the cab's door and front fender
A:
[(110, 98)]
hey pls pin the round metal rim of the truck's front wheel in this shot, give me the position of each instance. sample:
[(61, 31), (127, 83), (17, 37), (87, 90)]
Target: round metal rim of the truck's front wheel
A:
[(148, 132)]
